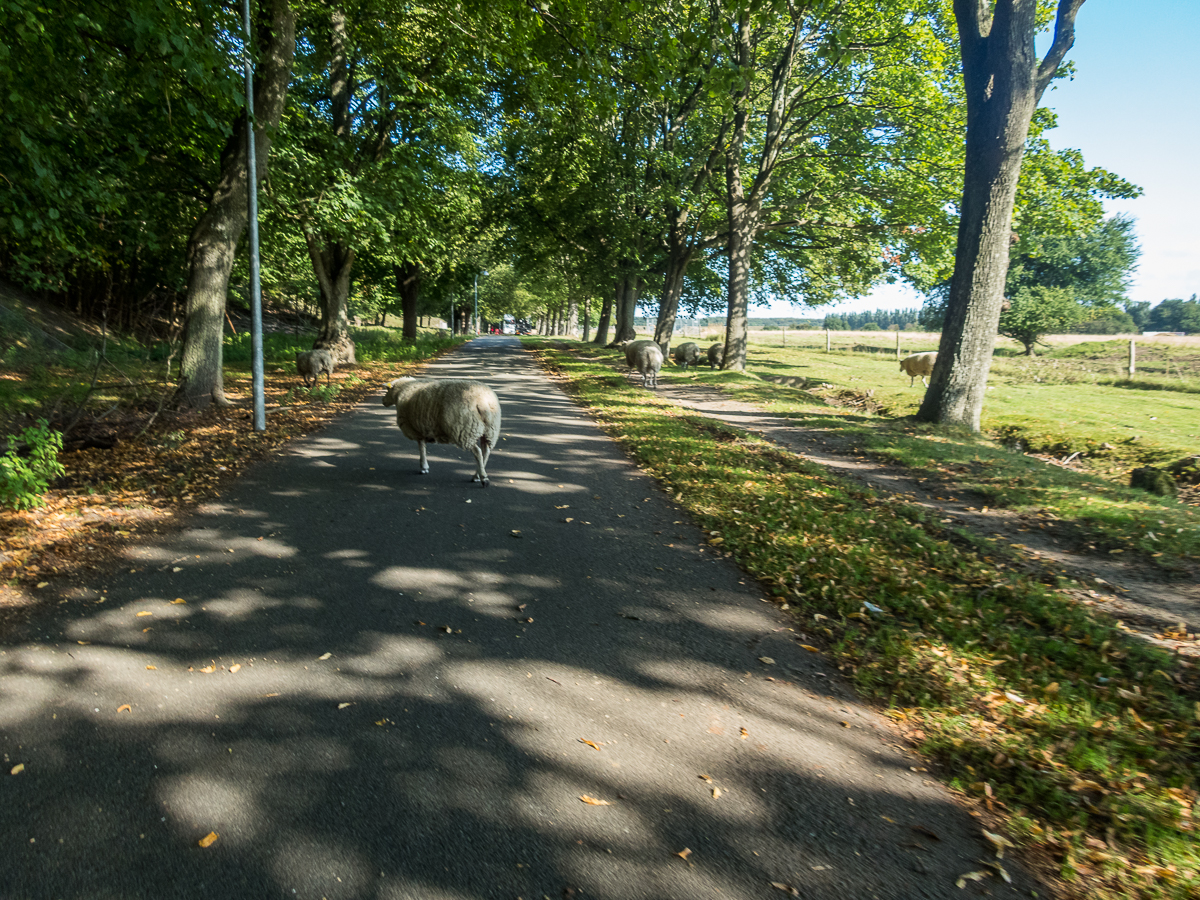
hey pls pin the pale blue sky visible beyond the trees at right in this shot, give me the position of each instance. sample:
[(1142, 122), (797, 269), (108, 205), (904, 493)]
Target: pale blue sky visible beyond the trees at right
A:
[(1133, 109)]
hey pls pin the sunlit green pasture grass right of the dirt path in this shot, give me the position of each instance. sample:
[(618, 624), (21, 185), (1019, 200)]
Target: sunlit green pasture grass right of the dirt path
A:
[(1115, 431)]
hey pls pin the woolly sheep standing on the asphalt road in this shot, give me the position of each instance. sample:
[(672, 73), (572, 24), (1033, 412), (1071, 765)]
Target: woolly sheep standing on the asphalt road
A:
[(458, 412)]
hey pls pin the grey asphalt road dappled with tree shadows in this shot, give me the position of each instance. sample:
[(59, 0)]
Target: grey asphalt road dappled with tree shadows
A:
[(416, 680)]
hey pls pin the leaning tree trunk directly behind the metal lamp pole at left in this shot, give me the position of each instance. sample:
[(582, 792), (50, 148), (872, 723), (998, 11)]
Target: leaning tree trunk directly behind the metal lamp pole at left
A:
[(214, 242)]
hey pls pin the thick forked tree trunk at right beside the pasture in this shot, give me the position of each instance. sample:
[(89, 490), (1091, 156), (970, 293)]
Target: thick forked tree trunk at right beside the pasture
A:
[(1004, 85)]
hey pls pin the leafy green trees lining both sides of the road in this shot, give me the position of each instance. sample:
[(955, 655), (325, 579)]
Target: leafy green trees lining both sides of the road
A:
[(590, 157)]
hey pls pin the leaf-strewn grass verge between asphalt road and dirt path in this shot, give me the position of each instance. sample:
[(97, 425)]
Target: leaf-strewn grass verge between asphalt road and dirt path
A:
[(1083, 736)]
